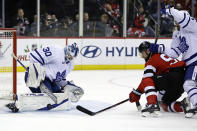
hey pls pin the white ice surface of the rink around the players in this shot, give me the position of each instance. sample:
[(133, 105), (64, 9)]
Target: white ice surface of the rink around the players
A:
[(102, 89)]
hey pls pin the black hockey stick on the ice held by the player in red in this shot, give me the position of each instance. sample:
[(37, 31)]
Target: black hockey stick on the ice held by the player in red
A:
[(91, 113)]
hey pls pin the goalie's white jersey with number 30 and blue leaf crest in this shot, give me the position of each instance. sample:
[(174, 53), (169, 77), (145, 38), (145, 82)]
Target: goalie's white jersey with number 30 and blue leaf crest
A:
[(52, 58)]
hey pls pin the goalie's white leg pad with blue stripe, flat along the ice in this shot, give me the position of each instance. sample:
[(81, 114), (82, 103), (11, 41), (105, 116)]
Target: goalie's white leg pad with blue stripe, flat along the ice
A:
[(41, 101)]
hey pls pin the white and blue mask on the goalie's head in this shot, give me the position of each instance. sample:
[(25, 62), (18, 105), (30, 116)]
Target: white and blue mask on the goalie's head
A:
[(71, 51)]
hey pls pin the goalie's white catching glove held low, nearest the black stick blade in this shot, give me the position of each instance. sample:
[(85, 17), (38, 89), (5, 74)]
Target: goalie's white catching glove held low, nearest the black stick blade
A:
[(74, 92)]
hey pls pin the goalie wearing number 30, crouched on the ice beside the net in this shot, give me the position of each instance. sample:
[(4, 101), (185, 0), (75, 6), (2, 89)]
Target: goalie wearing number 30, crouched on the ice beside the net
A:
[(46, 78)]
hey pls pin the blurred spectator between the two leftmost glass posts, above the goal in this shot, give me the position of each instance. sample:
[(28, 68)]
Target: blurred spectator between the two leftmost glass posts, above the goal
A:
[(22, 23)]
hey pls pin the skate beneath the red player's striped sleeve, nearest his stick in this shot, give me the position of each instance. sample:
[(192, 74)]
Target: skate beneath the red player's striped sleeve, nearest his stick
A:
[(151, 110)]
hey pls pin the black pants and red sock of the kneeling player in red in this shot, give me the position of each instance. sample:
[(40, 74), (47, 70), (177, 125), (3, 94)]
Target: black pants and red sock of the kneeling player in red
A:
[(170, 86)]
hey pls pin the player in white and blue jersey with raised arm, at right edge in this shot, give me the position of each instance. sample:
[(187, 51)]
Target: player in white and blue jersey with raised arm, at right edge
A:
[(184, 42)]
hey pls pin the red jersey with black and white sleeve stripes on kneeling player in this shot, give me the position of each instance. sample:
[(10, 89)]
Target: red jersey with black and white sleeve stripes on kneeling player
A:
[(156, 65)]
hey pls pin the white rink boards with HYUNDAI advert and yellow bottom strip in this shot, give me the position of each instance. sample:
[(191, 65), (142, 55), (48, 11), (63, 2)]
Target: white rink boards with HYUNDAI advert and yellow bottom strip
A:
[(94, 53)]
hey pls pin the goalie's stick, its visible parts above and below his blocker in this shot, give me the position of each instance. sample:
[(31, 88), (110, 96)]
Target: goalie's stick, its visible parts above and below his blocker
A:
[(42, 87)]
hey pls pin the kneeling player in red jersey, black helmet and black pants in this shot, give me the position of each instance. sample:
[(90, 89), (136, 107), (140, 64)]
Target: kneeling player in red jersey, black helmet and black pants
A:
[(162, 82)]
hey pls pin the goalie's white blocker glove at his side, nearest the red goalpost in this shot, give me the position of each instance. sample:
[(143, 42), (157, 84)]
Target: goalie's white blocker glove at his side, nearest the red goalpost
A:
[(34, 75)]
